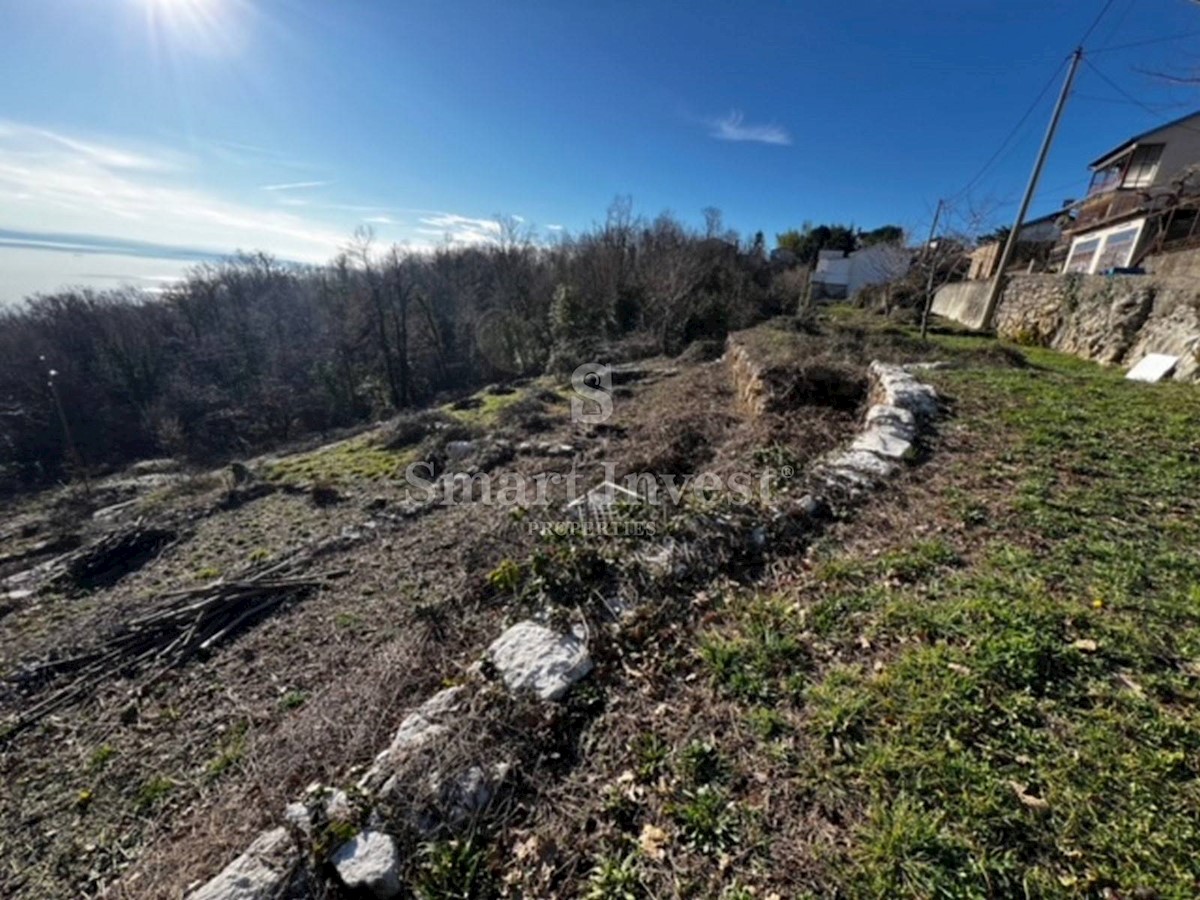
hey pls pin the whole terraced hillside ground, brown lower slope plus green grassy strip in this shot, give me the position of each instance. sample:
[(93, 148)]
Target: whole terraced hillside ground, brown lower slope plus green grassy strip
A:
[(980, 681)]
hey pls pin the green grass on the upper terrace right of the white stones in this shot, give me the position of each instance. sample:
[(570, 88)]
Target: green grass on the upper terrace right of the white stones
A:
[(1010, 707)]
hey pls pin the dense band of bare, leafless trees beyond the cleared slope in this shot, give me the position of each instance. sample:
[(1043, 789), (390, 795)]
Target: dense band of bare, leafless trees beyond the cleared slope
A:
[(254, 353)]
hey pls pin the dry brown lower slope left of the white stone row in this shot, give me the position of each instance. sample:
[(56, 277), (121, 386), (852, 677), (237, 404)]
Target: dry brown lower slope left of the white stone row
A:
[(155, 781)]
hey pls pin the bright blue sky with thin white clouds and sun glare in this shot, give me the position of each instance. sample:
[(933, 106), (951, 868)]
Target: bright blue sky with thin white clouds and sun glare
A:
[(139, 136)]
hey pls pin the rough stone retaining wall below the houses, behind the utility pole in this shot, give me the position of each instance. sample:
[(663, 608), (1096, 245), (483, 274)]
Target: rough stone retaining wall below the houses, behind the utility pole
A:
[(1109, 320)]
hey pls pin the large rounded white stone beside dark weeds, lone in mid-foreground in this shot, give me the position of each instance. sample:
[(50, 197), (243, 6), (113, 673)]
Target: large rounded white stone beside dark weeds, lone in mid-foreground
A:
[(531, 657)]
